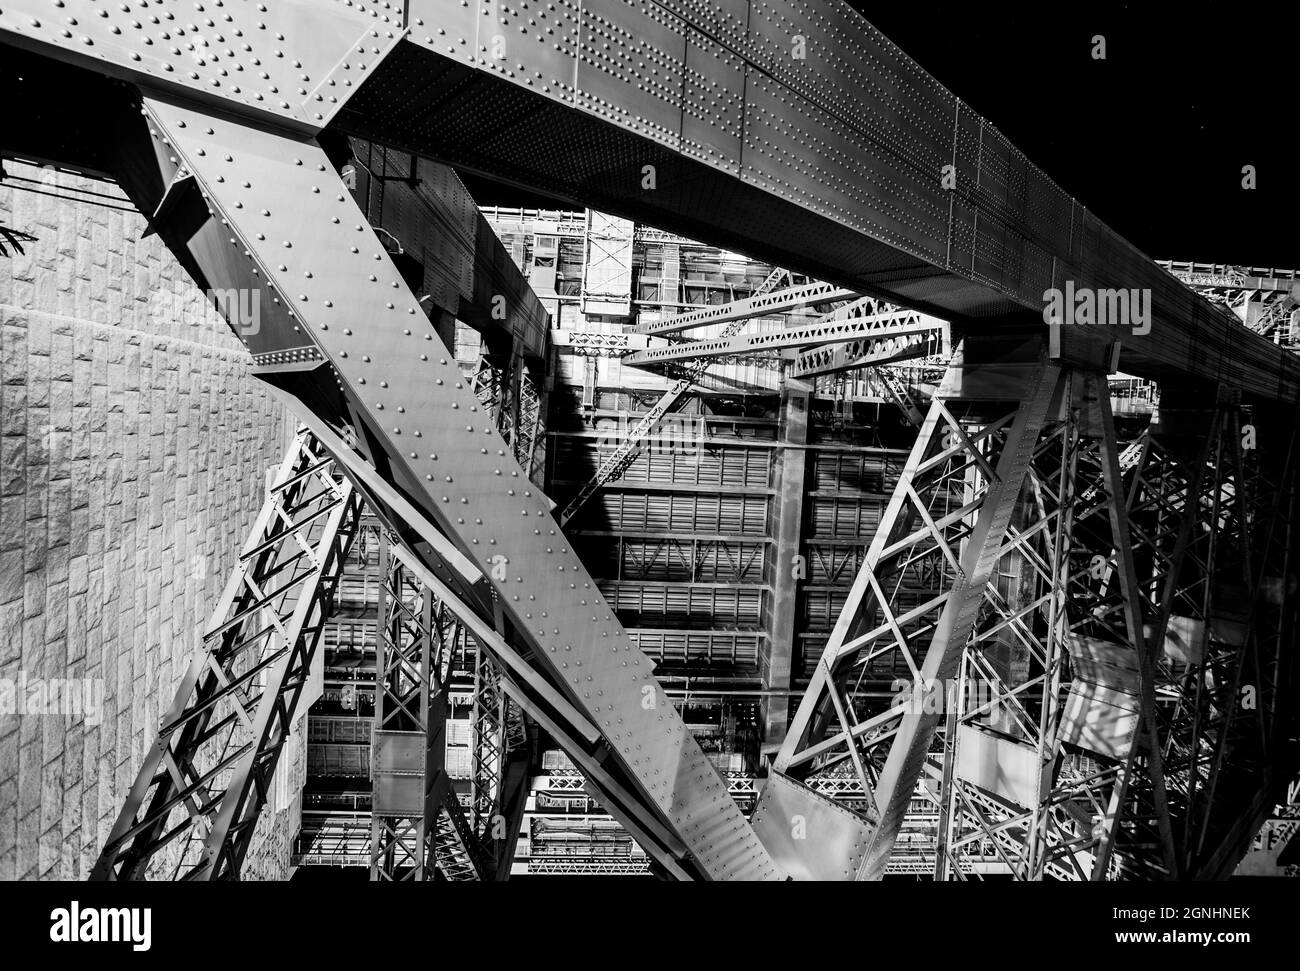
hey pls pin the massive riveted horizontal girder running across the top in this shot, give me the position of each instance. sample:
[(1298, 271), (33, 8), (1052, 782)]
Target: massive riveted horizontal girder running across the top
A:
[(801, 162)]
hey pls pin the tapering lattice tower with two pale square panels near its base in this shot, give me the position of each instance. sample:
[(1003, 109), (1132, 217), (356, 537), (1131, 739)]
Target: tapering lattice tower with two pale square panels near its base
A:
[(1051, 684)]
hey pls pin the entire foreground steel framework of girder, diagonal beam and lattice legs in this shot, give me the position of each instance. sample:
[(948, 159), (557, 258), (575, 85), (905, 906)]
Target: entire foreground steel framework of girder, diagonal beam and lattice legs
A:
[(1152, 584)]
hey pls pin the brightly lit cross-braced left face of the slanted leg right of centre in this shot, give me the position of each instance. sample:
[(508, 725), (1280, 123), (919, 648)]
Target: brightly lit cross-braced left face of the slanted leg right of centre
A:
[(903, 601)]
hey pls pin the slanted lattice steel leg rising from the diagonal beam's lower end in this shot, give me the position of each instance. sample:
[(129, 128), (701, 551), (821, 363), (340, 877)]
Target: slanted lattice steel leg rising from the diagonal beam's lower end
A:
[(921, 597)]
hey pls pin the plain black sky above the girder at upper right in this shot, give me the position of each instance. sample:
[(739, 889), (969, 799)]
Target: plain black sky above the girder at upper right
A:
[(1154, 138)]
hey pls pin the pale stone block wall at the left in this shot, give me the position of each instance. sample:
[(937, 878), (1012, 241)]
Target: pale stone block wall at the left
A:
[(135, 444)]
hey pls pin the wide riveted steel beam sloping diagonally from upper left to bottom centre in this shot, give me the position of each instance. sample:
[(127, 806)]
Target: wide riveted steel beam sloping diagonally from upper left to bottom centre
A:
[(366, 354)]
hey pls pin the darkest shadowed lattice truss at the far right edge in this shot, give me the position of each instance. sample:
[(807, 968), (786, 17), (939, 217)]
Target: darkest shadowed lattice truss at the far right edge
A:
[(1225, 612)]
